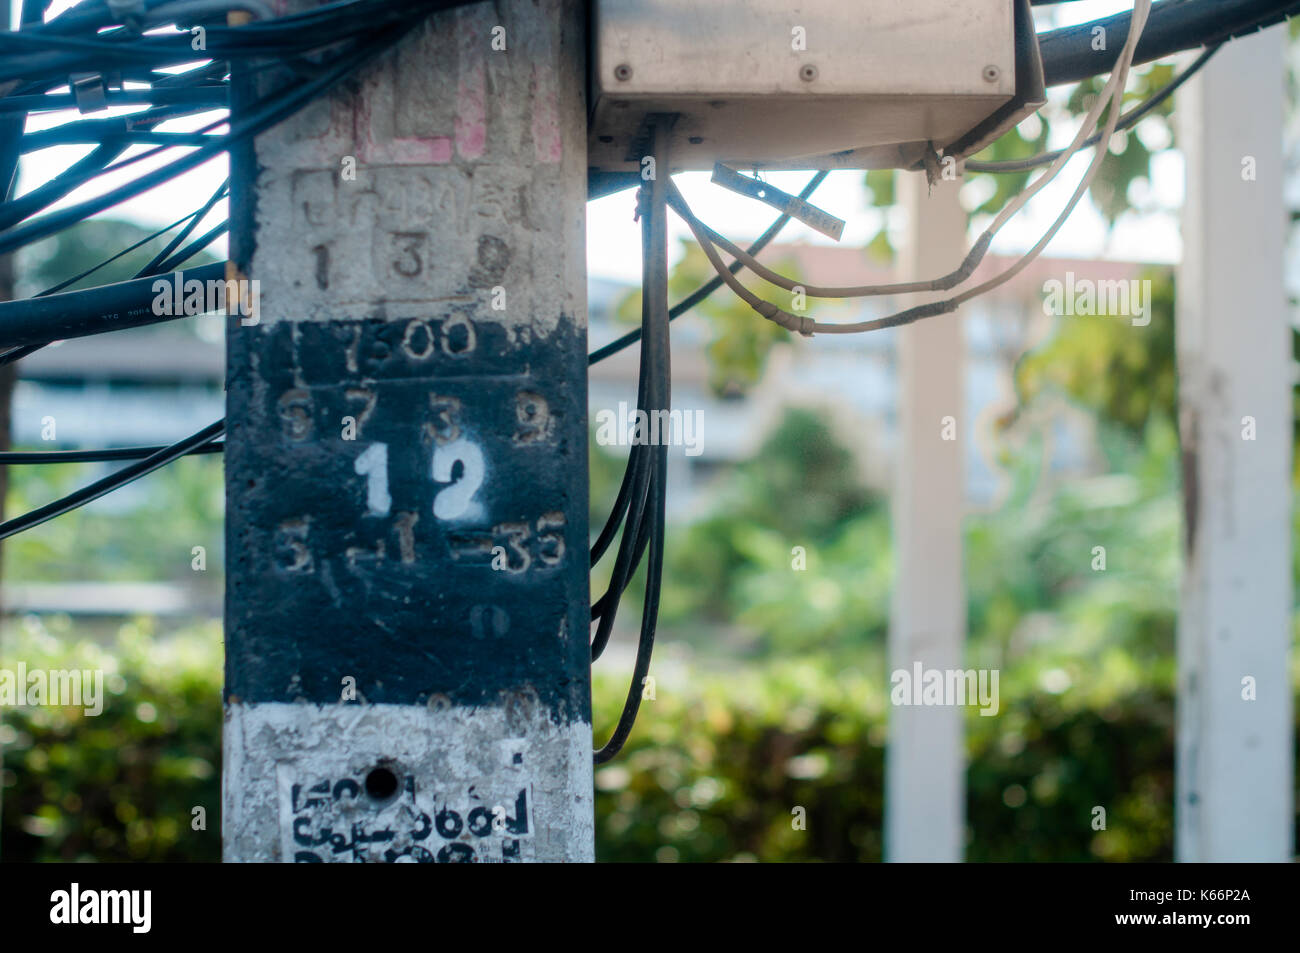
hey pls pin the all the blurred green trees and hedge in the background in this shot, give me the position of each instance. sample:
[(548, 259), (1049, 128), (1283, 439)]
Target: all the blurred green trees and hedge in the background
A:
[(772, 690)]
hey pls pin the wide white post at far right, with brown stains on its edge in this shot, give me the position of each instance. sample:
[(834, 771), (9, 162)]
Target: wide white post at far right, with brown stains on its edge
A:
[(1234, 362)]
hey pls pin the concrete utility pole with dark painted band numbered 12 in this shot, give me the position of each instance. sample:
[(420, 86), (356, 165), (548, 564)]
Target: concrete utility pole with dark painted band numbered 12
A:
[(408, 605)]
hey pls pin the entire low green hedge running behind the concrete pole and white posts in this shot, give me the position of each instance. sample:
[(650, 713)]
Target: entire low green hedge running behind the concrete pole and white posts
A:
[(716, 766)]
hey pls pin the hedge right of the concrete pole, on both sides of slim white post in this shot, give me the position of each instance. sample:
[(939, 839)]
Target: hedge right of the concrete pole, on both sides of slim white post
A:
[(718, 764)]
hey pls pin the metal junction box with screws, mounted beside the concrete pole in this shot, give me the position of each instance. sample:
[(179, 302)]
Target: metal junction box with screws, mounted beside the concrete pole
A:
[(809, 85)]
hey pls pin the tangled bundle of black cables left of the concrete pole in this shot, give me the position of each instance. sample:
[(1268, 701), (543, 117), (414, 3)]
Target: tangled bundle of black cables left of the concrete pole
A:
[(301, 57)]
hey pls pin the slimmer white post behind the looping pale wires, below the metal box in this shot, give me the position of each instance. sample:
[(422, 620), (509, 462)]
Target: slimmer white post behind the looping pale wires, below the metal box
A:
[(926, 765)]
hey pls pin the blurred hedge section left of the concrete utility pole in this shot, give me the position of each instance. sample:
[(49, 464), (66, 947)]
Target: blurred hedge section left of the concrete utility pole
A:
[(120, 786)]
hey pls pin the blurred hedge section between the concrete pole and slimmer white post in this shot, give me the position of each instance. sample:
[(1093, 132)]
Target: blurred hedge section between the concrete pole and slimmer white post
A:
[(717, 766)]
